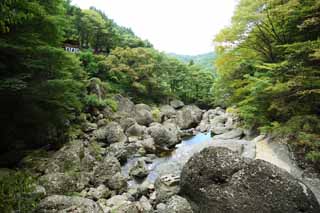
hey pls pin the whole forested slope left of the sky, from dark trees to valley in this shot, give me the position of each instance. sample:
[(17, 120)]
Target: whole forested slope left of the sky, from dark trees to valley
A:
[(44, 89)]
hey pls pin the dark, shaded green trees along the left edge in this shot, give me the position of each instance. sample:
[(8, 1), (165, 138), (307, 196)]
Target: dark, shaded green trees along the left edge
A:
[(41, 84)]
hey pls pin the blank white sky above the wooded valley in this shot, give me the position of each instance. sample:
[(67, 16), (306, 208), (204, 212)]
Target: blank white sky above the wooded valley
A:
[(174, 26)]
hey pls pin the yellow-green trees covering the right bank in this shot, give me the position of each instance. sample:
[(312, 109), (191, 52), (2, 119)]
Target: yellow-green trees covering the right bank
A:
[(268, 69)]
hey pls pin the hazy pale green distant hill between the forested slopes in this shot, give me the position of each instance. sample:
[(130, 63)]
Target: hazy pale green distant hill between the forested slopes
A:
[(204, 60)]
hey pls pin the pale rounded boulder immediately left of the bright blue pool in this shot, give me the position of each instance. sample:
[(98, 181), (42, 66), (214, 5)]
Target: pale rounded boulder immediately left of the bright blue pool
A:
[(165, 137)]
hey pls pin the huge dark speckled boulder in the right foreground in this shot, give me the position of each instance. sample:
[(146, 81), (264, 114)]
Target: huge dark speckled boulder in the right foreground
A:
[(219, 180)]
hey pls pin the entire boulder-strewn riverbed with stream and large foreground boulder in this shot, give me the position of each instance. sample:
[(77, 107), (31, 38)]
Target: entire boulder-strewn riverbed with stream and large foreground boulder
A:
[(175, 158)]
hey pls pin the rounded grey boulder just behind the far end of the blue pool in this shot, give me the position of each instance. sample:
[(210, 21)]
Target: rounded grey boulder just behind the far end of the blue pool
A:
[(188, 117)]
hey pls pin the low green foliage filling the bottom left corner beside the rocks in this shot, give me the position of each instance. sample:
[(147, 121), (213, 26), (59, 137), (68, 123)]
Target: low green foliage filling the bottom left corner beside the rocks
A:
[(16, 193)]
